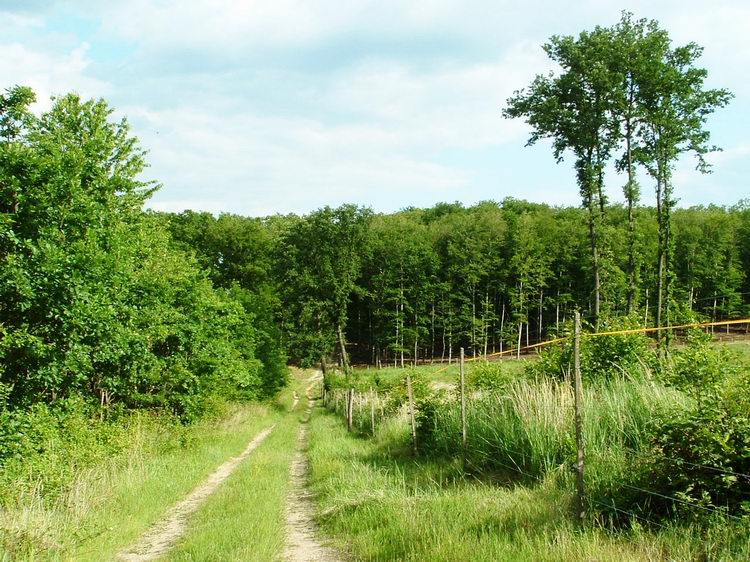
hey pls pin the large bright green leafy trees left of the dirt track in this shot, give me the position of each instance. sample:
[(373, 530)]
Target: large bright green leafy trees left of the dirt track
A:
[(95, 301)]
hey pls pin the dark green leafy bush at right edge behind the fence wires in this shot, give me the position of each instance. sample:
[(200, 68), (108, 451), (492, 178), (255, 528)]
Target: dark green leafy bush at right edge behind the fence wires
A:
[(702, 453)]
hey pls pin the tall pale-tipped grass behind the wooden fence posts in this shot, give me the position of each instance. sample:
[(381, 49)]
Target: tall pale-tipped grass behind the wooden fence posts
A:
[(527, 429)]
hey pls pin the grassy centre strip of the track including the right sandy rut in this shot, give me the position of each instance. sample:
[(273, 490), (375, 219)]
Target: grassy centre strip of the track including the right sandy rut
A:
[(248, 518)]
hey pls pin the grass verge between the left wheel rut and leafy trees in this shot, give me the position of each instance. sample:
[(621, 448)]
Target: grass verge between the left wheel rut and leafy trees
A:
[(107, 507)]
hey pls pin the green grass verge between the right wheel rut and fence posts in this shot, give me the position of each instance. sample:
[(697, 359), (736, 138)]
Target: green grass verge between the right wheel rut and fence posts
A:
[(381, 504)]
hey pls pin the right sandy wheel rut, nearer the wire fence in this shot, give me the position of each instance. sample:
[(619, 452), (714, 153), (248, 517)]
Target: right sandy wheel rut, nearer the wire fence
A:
[(302, 546)]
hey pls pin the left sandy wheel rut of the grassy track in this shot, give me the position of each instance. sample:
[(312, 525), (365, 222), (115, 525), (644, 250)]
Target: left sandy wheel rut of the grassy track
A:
[(162, 536)]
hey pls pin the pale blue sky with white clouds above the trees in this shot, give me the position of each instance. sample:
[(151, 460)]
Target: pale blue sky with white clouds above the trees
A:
[(265, 106)]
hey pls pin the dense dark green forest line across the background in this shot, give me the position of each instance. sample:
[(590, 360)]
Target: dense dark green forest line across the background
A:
[(418, 284)]
